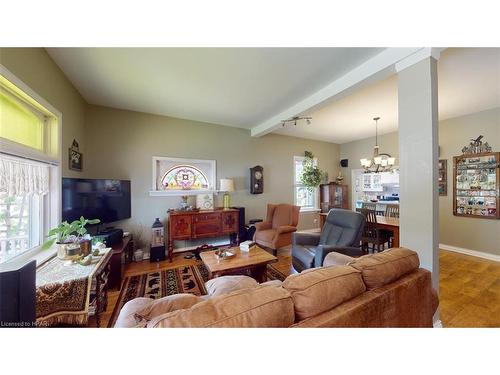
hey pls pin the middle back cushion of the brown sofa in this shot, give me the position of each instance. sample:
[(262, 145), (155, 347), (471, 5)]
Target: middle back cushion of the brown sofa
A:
[(317, 290)]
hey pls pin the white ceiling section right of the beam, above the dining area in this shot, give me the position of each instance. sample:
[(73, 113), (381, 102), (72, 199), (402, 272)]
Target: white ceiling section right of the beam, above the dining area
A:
[(468, 82)]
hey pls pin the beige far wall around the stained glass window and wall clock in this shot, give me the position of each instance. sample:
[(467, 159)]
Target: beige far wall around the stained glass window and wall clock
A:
[(121, 144)]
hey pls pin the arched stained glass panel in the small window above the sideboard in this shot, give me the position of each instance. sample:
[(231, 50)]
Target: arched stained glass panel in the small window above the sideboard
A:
[(184, 177)]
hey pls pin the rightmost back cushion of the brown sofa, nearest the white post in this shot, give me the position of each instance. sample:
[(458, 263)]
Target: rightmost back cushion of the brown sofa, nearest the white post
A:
[(385, 267)]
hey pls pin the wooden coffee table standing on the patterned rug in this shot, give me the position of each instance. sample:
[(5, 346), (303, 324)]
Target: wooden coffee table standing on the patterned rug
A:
[(253, 263)]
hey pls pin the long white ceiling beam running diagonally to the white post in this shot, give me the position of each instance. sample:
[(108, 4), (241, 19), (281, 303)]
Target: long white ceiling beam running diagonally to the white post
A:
[(378, 67)]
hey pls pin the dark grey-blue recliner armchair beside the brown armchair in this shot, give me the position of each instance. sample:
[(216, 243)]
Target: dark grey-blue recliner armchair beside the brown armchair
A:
[(341, 233)]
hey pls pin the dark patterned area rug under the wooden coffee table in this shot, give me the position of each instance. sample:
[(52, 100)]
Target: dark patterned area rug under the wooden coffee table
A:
[(186, 279)]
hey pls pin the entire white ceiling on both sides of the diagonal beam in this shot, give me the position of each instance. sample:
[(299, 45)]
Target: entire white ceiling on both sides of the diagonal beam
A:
[(243, 87)]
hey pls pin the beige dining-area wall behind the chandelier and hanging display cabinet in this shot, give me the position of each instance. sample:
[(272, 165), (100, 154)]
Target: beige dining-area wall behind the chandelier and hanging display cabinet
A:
[(474, 234)]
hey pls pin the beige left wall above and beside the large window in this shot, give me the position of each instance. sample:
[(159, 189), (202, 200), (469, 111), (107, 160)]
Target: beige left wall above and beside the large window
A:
[(35, 68)]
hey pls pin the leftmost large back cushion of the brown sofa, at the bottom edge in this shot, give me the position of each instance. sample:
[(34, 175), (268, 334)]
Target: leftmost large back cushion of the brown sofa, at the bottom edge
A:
[(264, 306)]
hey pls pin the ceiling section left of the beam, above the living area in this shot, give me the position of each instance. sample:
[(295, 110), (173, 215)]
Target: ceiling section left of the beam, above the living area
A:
[(229, 86)]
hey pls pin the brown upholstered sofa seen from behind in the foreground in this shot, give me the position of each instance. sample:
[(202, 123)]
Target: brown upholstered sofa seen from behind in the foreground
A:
[(386, 289)]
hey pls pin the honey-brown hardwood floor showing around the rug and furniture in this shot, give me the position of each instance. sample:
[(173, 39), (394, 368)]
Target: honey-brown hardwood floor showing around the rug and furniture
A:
[(469, 287)]
